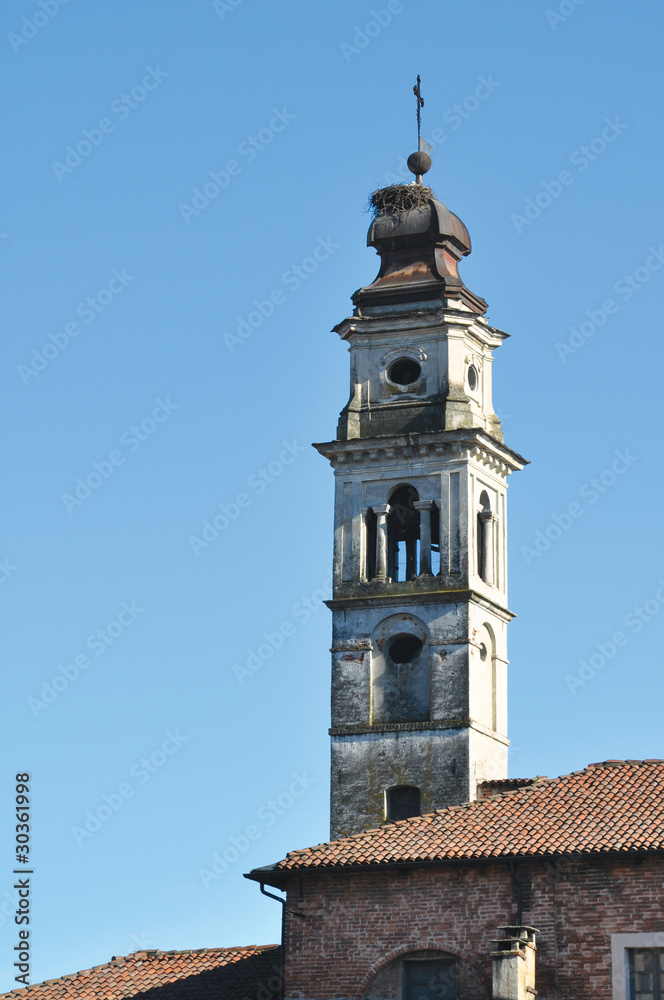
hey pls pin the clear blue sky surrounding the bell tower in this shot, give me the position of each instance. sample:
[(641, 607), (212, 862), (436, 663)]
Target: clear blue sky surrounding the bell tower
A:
[(168, 93)]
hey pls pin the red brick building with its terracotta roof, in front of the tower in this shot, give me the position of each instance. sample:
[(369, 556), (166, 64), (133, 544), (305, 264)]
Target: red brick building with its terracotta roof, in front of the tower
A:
[(443, 905)]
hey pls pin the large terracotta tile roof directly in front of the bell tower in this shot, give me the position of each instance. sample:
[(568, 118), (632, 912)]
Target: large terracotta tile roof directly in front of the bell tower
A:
[(611, 806)]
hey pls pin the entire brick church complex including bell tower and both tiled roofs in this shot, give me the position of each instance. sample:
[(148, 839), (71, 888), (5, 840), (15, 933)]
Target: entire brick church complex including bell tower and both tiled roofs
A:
[(443, 879)]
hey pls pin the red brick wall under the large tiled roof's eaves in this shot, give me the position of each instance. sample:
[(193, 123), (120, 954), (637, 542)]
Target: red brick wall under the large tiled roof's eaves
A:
[(356, 923)]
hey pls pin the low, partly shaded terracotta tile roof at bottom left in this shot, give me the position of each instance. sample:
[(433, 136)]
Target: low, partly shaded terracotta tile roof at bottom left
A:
[(204, 974)]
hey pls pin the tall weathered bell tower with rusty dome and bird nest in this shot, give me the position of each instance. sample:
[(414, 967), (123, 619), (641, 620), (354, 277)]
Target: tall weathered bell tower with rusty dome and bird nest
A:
[(419, 662)]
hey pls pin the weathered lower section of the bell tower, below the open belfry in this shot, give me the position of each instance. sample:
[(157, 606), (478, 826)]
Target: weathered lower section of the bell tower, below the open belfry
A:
[(455, 693)]
